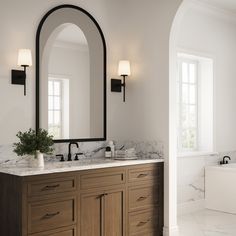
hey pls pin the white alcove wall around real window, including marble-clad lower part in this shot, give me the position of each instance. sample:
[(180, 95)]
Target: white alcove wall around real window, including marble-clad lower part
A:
[(206, 32)]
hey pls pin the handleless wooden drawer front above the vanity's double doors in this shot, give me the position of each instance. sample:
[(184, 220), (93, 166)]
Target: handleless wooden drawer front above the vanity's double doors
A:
[(102, 179)]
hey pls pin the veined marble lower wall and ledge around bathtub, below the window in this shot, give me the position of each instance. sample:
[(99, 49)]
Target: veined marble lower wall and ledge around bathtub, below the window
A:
[(191, 179)]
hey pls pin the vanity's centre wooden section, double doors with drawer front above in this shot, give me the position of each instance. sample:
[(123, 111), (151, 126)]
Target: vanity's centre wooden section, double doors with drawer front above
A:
[(102, 200)]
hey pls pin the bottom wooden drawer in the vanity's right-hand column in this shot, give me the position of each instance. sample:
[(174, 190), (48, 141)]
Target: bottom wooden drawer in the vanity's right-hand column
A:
[(143, 223)]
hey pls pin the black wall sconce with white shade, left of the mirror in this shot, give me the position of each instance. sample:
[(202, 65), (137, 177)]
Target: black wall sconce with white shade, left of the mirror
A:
[(24, 60)]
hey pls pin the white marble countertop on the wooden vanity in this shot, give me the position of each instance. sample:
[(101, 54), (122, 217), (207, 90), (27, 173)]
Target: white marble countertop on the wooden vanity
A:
[(58, 167)]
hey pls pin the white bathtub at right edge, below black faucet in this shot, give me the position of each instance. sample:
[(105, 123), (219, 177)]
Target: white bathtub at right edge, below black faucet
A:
[(220, 188)]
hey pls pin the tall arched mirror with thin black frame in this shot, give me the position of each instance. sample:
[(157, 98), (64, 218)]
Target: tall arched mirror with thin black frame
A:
[(71, 75)]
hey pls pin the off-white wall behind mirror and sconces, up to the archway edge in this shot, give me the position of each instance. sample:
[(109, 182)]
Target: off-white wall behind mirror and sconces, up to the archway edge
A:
[(136, 30)]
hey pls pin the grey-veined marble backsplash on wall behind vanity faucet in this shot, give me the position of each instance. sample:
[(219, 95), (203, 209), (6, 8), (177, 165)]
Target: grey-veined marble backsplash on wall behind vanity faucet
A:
[(144, 150)]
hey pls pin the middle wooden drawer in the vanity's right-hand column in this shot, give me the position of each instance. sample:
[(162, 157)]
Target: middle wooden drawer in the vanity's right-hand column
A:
[(144, 197)]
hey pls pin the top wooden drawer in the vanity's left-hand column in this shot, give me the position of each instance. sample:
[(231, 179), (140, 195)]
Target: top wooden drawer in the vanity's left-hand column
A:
[(59, 185)]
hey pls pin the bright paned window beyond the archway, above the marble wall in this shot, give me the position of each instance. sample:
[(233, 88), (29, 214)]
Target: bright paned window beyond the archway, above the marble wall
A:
[(188, 105)]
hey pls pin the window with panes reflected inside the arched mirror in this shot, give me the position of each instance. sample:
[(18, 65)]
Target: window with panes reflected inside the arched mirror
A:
[(55, 107)]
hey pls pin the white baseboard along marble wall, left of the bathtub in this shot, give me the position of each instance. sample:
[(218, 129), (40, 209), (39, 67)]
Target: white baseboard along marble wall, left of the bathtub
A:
[(190, 207)]
